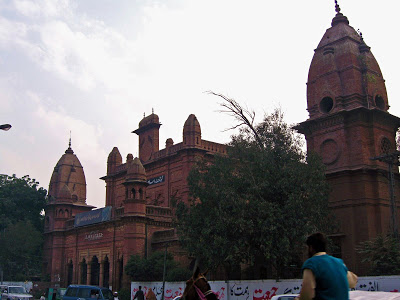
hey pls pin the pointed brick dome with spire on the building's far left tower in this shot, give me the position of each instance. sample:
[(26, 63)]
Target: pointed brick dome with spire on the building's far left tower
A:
[(68, 172)]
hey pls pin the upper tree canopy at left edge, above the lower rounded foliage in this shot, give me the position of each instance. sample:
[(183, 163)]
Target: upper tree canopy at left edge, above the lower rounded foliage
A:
[(21, 199)]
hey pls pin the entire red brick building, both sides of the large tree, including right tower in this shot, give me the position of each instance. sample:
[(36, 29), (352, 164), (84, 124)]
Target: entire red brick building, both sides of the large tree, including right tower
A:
[(348, 124)]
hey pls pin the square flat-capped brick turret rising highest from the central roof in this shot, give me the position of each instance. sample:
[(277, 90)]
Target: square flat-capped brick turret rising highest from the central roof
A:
[(148, 133)]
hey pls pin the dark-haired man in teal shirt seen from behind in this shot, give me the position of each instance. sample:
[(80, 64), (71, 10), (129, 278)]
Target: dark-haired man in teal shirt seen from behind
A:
[(324, 276)]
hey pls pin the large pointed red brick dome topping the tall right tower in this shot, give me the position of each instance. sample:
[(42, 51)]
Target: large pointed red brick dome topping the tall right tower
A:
[(343, 73)]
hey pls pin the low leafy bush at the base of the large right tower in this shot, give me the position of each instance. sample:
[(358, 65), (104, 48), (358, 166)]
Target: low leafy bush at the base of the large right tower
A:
[(382, 254)]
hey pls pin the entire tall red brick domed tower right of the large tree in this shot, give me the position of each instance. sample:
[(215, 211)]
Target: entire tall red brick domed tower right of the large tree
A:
[(348, 125)]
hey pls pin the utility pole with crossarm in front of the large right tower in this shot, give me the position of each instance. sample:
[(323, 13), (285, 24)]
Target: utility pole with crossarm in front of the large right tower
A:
[(391, 159)]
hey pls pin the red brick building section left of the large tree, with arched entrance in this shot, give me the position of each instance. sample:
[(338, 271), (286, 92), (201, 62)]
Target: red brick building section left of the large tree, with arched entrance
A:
[(89, 246)]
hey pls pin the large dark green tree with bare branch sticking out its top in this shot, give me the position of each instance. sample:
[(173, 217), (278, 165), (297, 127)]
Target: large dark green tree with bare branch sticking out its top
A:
[(256, 204)]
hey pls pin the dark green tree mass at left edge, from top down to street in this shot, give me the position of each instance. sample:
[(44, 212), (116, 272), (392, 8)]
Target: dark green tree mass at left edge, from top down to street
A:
[(22, 202)]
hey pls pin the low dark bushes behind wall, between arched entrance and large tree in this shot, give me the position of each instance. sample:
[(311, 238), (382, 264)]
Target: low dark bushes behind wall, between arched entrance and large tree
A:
[(151, 269)]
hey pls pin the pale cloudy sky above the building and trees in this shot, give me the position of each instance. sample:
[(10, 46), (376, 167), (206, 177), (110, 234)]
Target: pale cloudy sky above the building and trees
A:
[(96, 67)]
